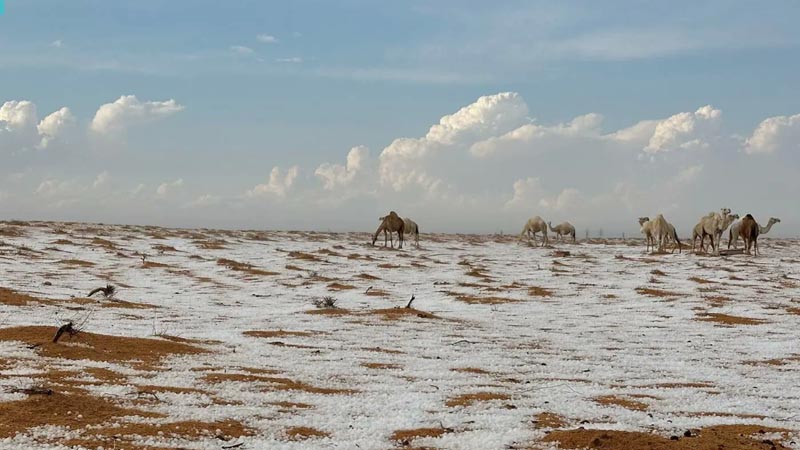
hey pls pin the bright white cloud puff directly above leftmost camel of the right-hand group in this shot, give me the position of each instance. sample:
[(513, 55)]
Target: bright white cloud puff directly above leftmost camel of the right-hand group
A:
[(684, 130)]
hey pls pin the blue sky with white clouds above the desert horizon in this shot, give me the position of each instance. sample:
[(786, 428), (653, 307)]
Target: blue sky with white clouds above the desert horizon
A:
[(466, 116)]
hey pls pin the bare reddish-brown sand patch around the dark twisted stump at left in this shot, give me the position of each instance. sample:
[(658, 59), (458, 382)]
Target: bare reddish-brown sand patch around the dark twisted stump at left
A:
[(97, 347)]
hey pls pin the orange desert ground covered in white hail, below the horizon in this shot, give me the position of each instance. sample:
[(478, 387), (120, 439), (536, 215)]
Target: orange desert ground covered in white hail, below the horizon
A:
[(301, 340)]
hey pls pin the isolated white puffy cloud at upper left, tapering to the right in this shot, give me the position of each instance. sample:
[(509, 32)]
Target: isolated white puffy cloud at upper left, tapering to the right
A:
[(127, 111)]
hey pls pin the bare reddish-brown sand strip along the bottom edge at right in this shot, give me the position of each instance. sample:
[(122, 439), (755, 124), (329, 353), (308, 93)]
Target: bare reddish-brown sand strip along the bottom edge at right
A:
[(739, 437)]
